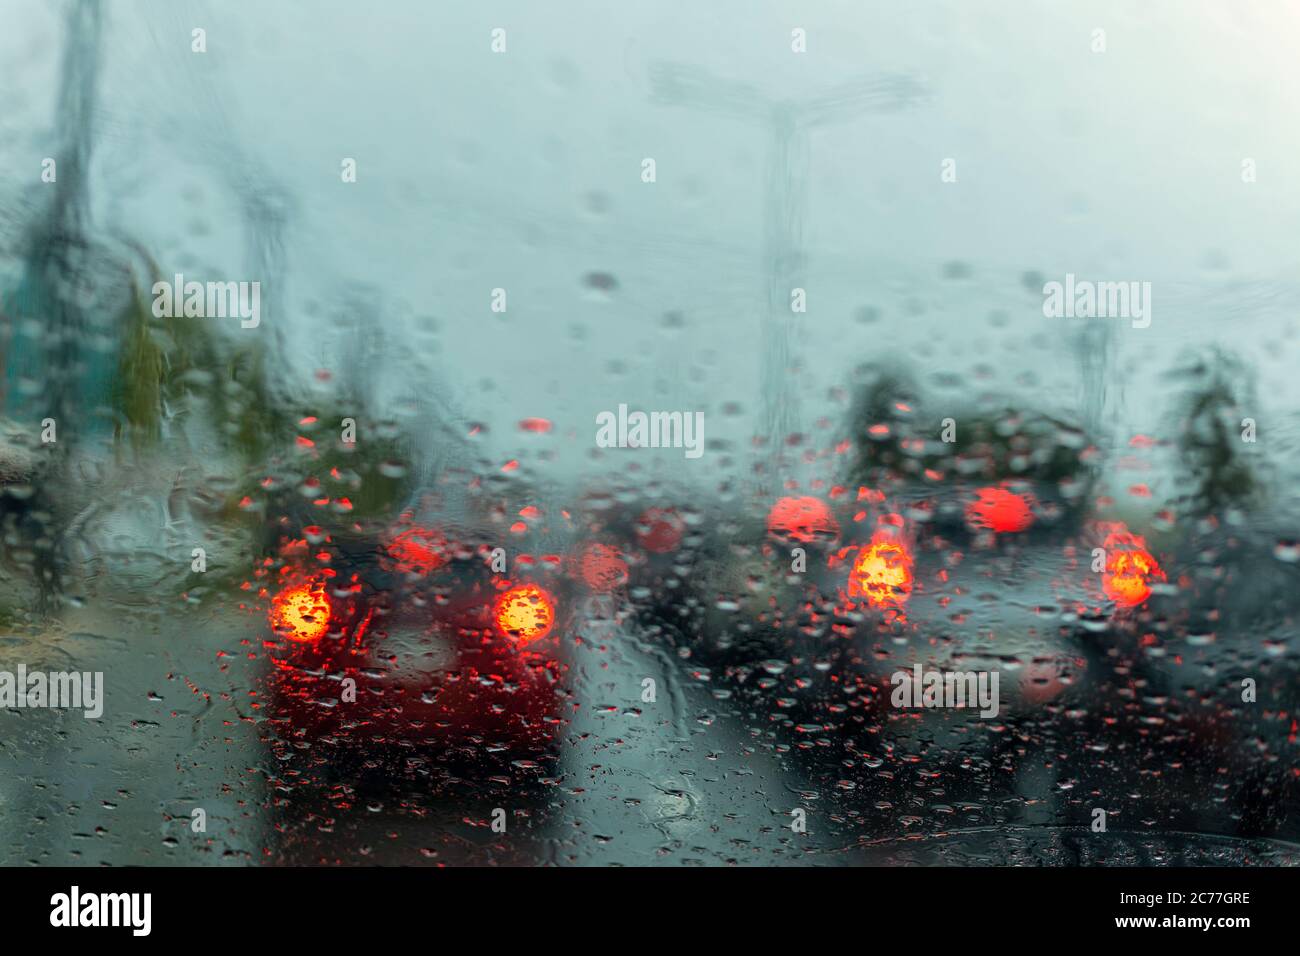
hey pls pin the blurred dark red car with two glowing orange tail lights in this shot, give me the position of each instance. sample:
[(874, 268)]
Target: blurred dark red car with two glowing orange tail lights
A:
[(411, 646)]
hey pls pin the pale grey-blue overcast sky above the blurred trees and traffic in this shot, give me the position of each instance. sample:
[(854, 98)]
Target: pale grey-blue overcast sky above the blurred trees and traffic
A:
[(522, 171)]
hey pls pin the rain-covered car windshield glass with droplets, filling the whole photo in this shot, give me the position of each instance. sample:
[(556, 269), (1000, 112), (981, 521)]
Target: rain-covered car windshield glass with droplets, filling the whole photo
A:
[(378, 564)]
